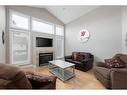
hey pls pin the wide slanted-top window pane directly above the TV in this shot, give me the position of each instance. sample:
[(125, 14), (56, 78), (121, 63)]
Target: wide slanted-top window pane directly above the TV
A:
[(43, 27)]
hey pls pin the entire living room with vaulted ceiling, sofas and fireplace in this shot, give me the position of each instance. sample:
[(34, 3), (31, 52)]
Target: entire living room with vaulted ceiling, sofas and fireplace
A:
[(84, 49)]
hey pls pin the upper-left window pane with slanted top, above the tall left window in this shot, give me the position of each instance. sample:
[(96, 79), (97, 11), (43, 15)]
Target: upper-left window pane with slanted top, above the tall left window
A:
[(19, 21)]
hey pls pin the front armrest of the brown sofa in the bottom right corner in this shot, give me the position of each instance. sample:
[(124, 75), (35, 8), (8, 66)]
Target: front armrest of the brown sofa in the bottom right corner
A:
[(119, 78)]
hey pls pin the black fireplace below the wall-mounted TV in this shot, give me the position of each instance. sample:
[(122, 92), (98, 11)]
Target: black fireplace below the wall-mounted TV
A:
[(44, 58)]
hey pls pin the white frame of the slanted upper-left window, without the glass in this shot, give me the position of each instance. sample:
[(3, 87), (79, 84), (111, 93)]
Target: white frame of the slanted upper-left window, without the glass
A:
[(20, 14)]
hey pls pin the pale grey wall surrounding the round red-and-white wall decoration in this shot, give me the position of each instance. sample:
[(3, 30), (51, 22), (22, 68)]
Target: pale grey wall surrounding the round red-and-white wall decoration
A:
[(105, 27)]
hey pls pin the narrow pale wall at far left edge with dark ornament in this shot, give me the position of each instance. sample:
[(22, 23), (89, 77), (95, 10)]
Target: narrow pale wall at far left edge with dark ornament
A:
[(2, 35)]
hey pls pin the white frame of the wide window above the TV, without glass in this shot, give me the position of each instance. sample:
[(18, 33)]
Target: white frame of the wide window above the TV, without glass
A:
[(43, 21)]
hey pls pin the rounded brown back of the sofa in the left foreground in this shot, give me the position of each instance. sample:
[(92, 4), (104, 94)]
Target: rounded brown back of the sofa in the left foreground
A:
[(14, 77)]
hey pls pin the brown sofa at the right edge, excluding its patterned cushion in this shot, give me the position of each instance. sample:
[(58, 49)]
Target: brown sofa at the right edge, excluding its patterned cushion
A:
[(114, 78)]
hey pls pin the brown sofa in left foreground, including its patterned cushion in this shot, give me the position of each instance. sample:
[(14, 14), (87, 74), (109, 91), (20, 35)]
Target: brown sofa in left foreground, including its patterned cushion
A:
[(12, 77)]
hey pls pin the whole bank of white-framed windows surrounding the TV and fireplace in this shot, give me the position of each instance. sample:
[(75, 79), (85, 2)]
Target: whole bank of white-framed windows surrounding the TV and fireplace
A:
[(20, 28)]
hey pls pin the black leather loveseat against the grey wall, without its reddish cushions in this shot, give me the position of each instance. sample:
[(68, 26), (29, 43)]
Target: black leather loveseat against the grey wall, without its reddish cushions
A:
[(84, 65)]
